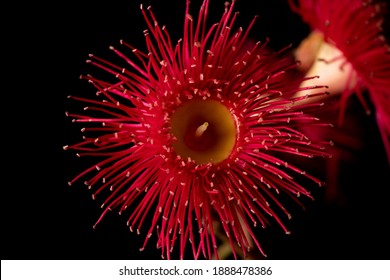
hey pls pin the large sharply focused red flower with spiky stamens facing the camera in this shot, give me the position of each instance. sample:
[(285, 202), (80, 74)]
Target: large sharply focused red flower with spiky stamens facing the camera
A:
[(196, 133)]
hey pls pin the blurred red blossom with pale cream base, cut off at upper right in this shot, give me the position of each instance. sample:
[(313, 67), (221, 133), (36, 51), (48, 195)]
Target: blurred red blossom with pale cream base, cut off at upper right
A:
[(353, 57)]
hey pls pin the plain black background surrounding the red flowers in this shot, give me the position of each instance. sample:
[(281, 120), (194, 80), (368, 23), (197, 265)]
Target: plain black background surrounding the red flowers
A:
[(44, 218)]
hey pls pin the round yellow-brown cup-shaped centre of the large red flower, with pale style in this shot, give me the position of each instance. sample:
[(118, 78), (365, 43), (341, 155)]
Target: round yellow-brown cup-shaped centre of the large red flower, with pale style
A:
[(205, 131)]
